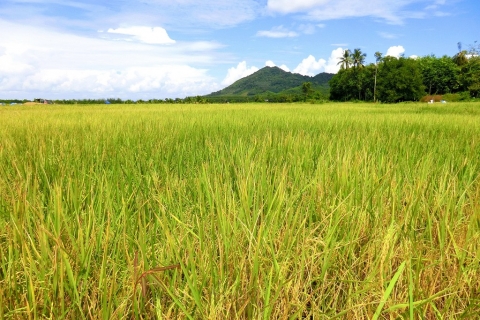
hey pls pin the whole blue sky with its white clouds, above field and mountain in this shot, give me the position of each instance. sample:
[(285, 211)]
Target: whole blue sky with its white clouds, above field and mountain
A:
[(143, 49)]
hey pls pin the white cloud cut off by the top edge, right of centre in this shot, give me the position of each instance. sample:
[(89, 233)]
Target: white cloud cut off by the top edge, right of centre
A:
[(391, 11)]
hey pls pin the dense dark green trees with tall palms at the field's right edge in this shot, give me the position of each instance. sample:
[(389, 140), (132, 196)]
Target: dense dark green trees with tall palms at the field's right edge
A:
[(392, 79)]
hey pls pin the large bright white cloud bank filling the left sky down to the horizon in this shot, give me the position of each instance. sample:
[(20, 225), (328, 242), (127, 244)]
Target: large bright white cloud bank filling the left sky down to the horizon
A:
[(51, 64)]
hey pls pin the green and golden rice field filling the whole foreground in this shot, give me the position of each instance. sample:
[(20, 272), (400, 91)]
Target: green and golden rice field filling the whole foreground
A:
[(248, 211)]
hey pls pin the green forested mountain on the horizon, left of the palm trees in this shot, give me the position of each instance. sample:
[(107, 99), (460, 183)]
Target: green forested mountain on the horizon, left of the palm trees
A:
[(274, 80)]
